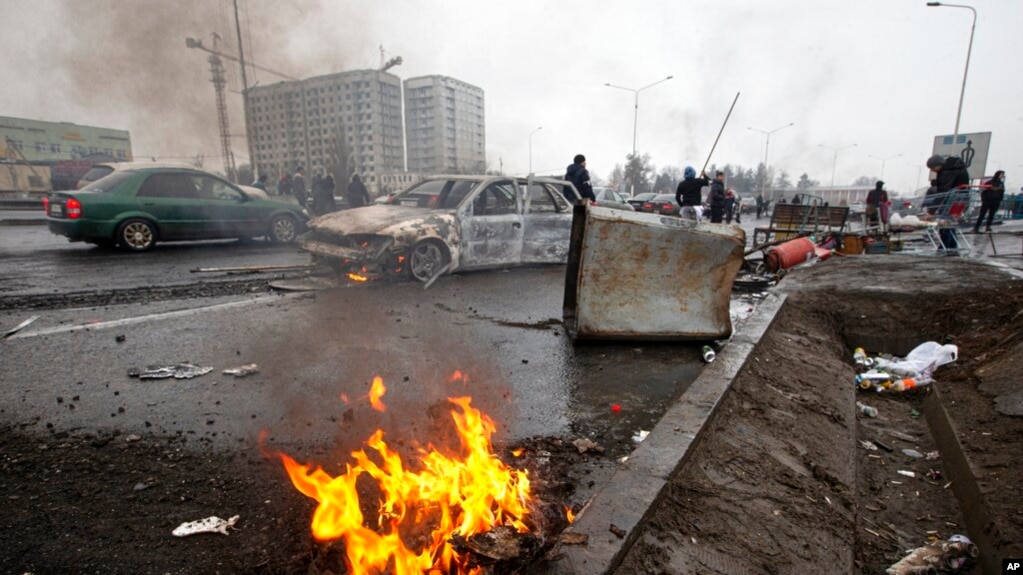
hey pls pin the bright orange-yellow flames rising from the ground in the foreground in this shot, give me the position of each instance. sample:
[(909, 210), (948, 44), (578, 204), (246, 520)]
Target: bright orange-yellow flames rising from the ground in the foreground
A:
[(419, 512)]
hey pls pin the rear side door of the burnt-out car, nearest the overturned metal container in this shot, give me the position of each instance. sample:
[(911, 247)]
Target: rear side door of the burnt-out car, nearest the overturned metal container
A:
[(547, 225)]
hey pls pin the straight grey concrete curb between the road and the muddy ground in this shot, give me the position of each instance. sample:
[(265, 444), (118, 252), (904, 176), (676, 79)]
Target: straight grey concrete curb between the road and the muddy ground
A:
[(638, 486)]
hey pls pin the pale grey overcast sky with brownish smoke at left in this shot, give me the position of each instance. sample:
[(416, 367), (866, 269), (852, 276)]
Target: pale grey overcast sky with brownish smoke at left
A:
[(882, 74)]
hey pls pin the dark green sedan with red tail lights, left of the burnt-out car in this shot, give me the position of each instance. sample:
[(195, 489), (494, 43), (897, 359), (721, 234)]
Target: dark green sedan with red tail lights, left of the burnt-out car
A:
[(137, 208)]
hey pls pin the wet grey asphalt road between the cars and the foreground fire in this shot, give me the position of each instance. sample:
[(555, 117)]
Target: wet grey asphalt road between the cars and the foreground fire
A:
[(69, 373)]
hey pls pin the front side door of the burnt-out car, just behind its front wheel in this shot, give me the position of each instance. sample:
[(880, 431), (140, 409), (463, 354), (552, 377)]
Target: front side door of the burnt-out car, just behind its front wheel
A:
[(492, 227)]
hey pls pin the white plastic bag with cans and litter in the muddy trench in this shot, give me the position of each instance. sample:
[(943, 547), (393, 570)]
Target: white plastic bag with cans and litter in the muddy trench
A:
[(887, 374)]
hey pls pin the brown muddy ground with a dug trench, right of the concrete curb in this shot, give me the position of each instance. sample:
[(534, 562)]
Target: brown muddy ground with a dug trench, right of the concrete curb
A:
[(783, 483)]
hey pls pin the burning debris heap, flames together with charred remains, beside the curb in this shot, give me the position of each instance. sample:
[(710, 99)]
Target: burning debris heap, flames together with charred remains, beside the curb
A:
[(453, 511)]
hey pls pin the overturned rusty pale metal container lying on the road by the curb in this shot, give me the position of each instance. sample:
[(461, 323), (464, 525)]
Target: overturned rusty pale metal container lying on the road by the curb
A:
[(646, 277)]
